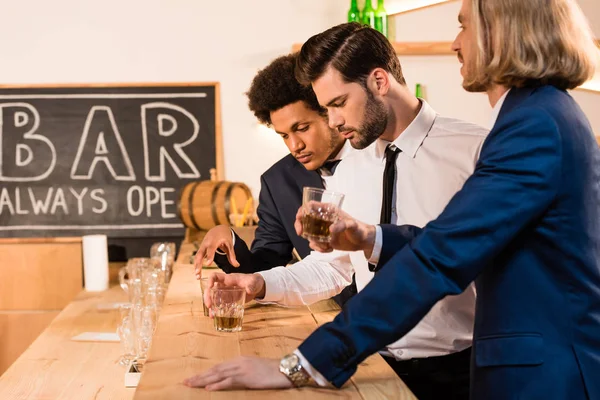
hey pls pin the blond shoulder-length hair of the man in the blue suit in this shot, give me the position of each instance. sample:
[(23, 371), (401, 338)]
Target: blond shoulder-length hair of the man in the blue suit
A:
[(532, 42)]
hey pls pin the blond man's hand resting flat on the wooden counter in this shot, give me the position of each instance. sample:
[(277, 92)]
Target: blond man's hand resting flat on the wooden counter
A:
[(242, 373)]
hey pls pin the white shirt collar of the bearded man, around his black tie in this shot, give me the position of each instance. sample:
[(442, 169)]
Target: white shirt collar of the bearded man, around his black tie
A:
[(411, 139)]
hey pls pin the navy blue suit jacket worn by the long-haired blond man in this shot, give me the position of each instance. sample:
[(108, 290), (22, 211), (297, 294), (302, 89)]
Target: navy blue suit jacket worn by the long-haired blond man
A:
[(526, 227)]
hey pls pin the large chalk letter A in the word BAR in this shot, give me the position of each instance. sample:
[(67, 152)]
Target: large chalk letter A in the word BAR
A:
[(102, 145)]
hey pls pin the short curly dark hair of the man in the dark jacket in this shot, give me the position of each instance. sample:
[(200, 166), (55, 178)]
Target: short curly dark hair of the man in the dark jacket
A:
[(275, 87)]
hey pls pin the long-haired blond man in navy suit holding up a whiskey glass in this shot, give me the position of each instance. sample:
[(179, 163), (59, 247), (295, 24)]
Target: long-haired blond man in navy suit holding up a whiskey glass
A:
[(525, 226)]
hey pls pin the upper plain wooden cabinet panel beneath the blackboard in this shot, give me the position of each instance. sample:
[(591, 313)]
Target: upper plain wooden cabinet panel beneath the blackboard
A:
[(39, 276)]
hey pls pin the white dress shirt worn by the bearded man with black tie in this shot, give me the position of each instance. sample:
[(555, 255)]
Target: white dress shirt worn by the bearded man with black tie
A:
[(438, 155)]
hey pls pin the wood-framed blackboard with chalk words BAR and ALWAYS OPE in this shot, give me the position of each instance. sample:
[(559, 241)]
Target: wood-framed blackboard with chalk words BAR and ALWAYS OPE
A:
[(109, 159)]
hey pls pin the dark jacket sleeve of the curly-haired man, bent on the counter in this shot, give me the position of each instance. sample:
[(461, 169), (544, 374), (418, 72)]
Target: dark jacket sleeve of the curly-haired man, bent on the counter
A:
[(271, 247)]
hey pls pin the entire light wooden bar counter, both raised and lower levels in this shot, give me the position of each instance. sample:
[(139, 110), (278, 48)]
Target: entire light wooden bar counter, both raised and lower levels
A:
[(185, 343)]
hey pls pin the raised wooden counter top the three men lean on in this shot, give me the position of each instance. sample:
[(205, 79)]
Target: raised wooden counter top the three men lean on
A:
[(185, 343)]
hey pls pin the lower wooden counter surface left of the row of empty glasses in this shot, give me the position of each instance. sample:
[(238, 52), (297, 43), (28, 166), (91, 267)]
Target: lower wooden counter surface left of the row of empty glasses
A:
[(55, 367)]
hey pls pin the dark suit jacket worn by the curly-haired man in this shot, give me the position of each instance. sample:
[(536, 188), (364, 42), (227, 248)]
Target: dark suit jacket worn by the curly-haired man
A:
[(275, 238)]
